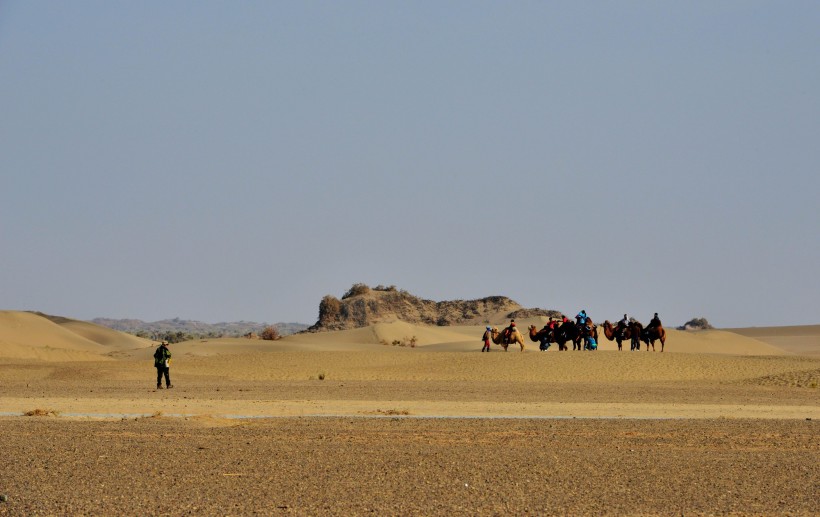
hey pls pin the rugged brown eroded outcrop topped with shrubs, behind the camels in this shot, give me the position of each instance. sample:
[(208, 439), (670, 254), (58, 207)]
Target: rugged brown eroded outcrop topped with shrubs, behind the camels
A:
[(362, 306)]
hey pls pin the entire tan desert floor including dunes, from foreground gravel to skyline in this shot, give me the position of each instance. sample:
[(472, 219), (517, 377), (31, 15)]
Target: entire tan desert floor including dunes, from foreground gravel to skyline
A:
[(347, 423)]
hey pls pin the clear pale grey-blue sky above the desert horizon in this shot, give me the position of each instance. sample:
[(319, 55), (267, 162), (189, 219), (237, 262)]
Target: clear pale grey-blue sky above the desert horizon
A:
[(221, 160)]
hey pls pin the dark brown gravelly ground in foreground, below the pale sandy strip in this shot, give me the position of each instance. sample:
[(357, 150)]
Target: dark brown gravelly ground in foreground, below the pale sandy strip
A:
[(347, 466)]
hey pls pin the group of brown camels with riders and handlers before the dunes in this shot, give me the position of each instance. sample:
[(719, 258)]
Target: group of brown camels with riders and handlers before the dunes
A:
[(583, 334)]
